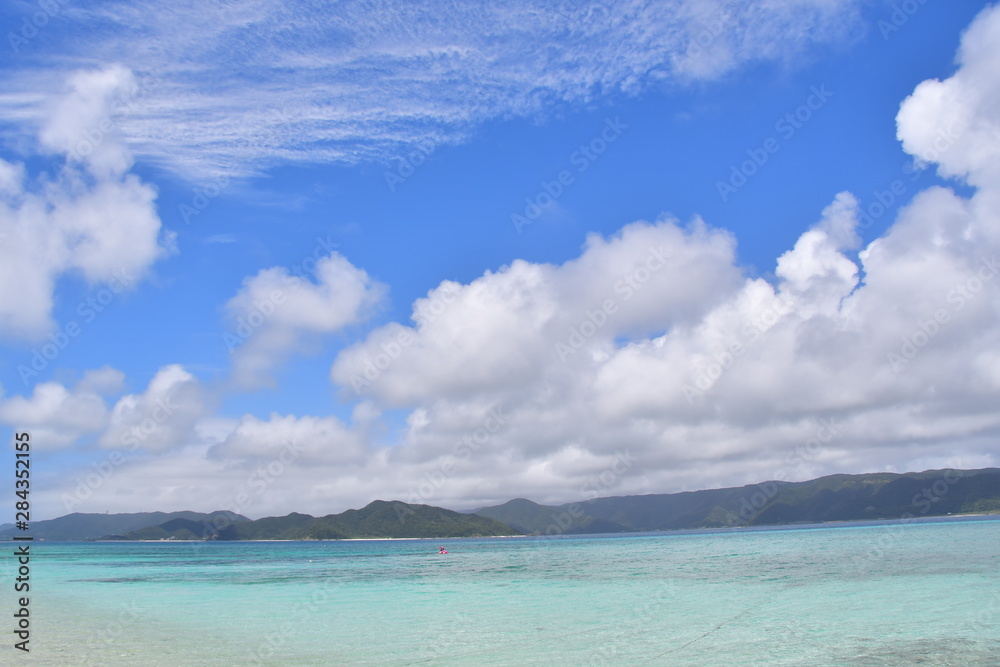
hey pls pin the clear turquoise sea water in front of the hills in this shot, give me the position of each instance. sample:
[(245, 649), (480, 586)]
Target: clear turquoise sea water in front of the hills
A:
[(924, 593)]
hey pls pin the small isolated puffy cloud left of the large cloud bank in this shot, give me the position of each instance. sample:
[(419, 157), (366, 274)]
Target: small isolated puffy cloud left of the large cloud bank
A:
[(276, 312)]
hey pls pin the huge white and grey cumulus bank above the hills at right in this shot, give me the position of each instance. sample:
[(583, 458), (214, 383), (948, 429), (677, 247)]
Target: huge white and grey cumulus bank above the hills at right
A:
[(535, 379)]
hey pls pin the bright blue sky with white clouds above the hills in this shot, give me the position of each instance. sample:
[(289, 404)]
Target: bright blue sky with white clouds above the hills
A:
[(270, 257)]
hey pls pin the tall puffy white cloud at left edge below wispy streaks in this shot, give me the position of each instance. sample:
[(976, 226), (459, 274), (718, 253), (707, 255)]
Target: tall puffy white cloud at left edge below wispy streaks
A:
[(91, 219)]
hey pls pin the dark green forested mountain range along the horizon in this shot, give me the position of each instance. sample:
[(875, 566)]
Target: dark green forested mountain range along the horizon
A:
[(831, 498)]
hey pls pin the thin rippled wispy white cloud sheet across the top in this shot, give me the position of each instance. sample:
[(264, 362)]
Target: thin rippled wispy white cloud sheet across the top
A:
[(304, 90)]
